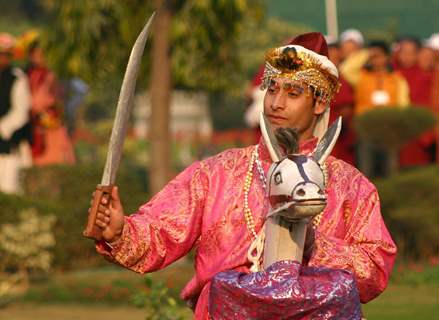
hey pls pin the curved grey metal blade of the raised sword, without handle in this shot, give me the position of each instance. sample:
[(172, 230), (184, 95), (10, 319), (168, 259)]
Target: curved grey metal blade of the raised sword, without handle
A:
[(124, 106)]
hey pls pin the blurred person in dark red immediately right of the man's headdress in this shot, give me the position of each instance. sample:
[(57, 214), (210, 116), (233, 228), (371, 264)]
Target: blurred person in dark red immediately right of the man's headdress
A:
[(342, 105)]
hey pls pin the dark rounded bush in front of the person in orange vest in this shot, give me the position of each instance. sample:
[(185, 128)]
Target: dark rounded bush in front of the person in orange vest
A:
[(392, 127)]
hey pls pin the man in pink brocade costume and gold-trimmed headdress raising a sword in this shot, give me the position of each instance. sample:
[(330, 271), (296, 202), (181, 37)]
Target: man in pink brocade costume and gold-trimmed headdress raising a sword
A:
[(203, 207)]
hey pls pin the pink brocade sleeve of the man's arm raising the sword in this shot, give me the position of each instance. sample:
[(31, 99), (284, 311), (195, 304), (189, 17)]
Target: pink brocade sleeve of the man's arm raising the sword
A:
[(165, 228)]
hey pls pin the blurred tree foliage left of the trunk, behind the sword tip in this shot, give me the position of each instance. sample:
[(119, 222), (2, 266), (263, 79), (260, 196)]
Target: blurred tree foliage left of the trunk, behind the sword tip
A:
[(88, 38)]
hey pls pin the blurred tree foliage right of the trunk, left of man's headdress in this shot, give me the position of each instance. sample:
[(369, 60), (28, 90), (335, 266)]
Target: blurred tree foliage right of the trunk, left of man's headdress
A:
[(204, 39)]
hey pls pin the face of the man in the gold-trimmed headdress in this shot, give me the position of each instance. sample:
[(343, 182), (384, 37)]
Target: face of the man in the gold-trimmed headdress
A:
[(288, 104)]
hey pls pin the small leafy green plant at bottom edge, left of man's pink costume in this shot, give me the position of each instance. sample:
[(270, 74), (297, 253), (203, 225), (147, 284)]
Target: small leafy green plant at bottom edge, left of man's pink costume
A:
[(157, 300)]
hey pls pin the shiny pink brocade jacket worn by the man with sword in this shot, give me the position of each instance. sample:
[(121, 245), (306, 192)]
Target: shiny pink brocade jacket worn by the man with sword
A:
[(203, 208)]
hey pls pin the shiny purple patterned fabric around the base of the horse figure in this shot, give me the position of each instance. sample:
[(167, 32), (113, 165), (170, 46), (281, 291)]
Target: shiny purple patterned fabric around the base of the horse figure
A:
[(286, 290)]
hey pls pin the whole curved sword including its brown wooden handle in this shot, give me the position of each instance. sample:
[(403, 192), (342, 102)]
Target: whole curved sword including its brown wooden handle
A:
[(119, 130)]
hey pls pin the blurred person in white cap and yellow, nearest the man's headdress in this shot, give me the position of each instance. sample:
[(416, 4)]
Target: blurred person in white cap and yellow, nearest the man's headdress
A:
[(353, 55)]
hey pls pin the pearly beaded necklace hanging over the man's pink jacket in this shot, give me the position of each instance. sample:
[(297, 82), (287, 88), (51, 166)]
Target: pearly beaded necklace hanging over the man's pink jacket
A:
[(250, 222)]
